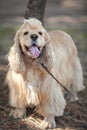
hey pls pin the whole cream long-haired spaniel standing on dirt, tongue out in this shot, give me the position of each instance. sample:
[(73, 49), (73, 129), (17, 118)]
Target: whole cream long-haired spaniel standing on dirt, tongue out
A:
[(29, 84)]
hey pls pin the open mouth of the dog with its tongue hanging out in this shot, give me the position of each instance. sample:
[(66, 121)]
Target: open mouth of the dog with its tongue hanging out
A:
[(34, 50)]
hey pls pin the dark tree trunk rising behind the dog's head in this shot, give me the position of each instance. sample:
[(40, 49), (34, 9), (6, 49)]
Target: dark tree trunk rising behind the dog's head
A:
[(36, 8)]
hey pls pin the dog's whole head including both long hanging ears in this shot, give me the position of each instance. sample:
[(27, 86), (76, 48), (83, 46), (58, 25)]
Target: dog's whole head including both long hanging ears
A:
[(31, 40)]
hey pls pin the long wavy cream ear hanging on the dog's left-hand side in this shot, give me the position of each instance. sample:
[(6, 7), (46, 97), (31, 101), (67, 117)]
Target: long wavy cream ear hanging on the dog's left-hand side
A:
[(15, 57)]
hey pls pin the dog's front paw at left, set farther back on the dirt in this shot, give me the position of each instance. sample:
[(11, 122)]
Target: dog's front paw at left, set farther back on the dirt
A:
[(17, 113)]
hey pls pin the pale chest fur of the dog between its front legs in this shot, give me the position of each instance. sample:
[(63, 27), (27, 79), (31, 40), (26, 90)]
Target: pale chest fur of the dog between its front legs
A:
[(34, 80)]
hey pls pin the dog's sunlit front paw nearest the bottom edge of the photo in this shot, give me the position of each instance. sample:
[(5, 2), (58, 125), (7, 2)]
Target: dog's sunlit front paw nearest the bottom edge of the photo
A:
[(48, 124)]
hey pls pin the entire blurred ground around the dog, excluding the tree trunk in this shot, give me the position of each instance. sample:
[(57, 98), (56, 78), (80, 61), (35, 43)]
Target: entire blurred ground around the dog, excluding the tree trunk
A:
[(70, 16)]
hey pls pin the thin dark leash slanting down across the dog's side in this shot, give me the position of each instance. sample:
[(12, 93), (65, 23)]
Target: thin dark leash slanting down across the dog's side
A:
[(55, 78)]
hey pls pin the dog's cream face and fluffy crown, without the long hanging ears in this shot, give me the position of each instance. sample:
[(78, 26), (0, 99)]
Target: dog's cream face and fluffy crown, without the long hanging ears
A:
[(32, 37)]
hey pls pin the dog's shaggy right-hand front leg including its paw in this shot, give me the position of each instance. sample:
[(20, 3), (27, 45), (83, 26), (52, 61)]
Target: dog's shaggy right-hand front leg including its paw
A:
[(53, 104)]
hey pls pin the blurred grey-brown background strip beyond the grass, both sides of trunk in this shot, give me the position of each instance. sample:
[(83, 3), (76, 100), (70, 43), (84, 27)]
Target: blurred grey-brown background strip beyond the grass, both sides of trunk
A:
[(71, 13)]
